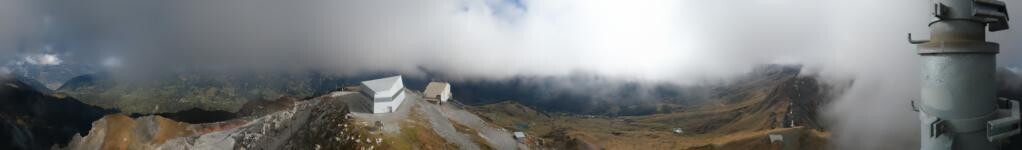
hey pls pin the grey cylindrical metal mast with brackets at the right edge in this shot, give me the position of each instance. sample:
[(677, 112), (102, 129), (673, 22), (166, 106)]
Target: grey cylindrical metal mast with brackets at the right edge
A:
[(959, 109)]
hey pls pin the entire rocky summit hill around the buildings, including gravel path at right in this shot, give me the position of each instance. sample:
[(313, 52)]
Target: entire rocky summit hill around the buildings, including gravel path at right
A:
[(336, 121)]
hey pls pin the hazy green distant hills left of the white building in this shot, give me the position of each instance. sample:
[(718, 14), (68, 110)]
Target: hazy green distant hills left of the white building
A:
[(197, 90)]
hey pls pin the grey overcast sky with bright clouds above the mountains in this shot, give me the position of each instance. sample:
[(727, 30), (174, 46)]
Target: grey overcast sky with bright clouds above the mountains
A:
[(680, 41)]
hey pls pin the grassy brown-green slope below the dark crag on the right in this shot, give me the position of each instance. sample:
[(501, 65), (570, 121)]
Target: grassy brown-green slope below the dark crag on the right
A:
[(730, 122)]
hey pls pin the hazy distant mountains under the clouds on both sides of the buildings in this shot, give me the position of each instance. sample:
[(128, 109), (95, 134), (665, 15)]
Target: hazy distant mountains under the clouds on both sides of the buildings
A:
[(577, 93)]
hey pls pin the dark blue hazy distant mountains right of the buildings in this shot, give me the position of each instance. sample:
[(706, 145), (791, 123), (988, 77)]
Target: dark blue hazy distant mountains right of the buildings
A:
[(593, 94)]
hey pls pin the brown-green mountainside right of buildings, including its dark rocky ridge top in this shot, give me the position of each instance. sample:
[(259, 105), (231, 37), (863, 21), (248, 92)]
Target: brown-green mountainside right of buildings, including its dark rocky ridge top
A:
[(739, 116)]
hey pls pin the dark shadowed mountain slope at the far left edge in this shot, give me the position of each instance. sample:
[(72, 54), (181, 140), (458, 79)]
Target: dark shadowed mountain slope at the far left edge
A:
[(33, 120)]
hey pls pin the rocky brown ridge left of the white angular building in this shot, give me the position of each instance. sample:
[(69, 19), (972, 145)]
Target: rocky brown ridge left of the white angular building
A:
[(316, 124)]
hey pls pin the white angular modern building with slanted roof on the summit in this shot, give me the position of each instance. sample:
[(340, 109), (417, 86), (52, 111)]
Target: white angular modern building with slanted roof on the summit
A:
[(387, 94)]
